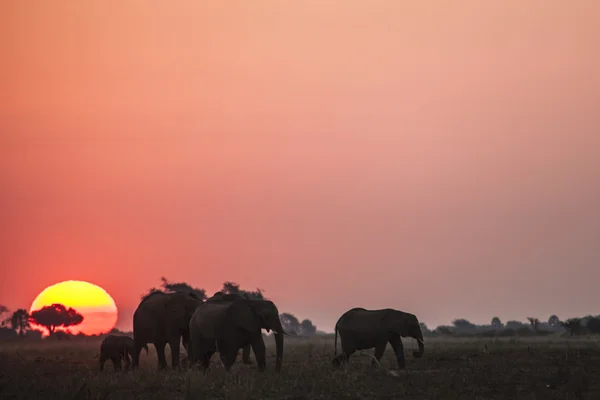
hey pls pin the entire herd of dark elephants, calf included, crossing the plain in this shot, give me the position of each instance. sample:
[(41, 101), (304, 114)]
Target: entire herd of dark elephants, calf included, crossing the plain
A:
[(226, 323)]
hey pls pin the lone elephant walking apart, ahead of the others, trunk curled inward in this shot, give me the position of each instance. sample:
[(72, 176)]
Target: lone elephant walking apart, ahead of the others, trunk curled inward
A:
[(361, 329)]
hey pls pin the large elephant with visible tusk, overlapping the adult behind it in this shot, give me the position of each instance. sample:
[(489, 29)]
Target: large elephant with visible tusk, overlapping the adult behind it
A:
[(226, 323)]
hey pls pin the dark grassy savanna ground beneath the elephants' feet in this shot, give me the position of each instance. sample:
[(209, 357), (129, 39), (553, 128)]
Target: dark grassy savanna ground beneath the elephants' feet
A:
[(507, 368)]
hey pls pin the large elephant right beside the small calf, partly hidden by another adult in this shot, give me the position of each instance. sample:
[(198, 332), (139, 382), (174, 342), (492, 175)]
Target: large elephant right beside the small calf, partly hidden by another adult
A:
[(163, 318)]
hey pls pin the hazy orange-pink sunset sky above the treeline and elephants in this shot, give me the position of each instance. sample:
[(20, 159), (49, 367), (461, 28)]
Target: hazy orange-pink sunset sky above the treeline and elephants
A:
[(437, 157)]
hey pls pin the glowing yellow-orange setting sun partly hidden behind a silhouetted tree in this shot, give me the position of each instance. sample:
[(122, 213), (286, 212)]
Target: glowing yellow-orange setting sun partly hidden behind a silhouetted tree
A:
[(94, 303)]
